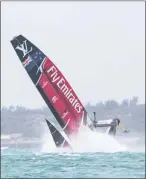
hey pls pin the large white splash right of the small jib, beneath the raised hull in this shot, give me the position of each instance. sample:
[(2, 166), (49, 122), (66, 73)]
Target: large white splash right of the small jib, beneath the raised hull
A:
[(89, 141)]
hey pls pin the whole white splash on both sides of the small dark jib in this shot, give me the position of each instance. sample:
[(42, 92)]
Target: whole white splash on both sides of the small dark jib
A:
[(86, 141)]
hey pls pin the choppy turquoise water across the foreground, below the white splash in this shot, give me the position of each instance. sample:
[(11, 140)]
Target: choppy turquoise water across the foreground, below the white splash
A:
[(29, 163)]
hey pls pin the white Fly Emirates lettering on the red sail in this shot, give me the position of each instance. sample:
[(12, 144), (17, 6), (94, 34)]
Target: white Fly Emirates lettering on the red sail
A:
[(61, 84)]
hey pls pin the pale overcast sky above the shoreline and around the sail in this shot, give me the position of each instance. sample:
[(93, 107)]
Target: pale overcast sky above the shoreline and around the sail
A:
[(98, 46)]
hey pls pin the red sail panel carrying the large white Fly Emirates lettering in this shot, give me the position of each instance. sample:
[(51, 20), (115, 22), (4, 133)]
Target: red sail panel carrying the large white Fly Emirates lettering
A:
[(64, 89)]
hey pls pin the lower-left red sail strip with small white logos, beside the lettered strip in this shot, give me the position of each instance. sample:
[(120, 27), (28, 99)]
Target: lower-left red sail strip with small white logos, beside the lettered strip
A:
[(58, 104)]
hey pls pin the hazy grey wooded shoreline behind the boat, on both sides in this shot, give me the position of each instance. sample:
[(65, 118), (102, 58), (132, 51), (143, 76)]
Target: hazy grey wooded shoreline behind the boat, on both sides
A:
[(19, 119)]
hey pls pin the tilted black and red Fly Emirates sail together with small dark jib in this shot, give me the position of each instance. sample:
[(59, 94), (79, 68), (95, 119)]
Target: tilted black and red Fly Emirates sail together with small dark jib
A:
[(54, 89)]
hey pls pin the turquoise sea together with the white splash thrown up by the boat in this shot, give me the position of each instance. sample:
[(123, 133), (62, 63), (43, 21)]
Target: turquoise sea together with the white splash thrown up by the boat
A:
[(93, 156)]
